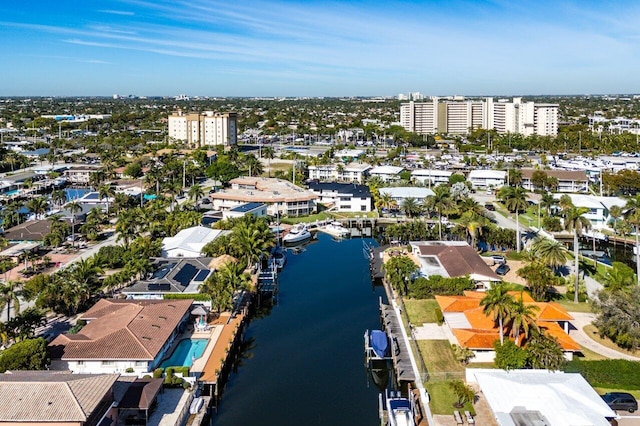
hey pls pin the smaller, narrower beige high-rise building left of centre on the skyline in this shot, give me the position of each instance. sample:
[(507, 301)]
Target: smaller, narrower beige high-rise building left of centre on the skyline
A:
[(204, 129)]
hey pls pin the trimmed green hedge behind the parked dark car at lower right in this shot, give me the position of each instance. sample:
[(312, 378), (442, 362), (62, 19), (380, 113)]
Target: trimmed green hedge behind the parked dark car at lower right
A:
[(610, 373)]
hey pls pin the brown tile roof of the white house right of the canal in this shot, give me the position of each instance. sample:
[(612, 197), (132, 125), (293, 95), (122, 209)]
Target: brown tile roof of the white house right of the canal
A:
[(458, 260)]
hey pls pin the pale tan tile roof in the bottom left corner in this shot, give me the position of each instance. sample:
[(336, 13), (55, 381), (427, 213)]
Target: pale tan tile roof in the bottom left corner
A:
[(52, 397)]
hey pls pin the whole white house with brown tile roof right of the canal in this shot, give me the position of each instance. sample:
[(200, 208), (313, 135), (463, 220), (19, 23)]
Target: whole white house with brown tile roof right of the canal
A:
[(453, 259)]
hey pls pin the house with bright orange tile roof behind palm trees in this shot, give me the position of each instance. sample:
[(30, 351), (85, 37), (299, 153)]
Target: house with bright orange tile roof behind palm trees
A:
[(476, 331)]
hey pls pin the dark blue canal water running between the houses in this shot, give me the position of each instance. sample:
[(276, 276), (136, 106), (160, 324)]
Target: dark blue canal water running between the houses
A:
[(306, 361)]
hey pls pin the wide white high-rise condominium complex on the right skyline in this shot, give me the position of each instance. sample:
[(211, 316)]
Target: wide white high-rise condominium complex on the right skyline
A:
[(458, 116)]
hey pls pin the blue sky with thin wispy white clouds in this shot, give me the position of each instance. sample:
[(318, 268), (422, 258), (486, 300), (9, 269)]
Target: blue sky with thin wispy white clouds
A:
[(318, 48)]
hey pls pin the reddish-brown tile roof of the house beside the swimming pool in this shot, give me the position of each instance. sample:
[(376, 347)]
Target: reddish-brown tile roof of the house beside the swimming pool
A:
[(122, 329)]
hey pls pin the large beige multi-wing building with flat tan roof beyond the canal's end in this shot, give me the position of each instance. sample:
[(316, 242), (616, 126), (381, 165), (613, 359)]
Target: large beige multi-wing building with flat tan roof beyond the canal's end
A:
[(279, 195)]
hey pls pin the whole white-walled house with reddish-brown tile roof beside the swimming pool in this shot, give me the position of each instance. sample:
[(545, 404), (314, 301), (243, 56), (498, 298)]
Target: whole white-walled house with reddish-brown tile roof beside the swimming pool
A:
[(121, 335)]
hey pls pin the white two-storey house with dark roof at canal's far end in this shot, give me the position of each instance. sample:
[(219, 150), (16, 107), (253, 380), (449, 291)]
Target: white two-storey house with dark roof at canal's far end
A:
[(343, 197)]
